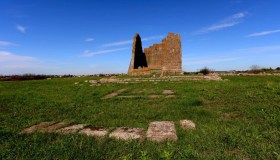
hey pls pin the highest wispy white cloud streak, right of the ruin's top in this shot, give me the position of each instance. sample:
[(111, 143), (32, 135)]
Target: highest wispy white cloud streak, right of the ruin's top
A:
[(225, 23)]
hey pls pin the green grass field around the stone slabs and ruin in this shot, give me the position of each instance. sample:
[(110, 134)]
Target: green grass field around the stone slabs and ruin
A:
[(235, 119)]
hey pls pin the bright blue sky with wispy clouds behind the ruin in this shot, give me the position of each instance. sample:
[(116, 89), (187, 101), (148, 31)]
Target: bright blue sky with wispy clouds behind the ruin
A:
[(95, 36)]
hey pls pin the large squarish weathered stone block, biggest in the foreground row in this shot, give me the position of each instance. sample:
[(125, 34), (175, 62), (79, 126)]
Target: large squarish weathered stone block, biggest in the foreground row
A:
[(162, 131)]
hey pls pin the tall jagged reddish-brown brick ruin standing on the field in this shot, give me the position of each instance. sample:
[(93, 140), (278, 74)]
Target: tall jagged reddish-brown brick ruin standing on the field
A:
[(159, 58)]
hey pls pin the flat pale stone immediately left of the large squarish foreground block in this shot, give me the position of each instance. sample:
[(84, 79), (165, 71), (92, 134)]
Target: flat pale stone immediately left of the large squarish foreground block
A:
[(124, 133)]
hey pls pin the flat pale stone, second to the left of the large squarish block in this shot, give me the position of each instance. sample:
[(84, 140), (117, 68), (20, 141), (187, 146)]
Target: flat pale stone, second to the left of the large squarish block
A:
[(98, 132)]
